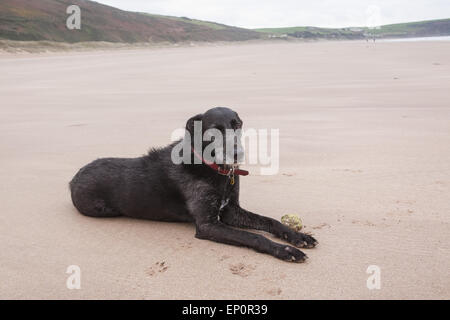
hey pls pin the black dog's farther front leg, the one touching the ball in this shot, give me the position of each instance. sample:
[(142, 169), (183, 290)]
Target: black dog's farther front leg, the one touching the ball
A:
[(237, 217)]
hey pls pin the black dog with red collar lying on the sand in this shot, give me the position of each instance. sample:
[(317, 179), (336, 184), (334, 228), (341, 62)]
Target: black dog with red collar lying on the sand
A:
[(154, 187)]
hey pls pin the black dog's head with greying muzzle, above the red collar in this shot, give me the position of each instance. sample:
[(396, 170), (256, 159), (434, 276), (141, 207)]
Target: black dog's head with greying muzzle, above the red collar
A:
[(218, 133)]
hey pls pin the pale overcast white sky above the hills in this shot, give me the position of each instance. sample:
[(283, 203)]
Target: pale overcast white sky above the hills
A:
[(289, 13)]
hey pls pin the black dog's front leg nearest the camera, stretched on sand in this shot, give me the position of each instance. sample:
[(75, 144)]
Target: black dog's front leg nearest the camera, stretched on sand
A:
[(219, 232)]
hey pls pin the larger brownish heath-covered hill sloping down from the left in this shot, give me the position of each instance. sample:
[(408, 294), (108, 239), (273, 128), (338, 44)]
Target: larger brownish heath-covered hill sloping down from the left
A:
[(46, 20)]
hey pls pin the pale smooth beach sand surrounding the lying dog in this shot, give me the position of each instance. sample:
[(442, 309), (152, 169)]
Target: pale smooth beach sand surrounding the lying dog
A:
[(365, 161)]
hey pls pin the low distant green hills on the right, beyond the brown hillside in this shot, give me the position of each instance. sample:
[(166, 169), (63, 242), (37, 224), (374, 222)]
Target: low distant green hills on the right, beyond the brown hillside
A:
[(399, 30)]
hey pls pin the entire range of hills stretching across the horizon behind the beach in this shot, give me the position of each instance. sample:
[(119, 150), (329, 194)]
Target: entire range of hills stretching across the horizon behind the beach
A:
[(37, 20)]
